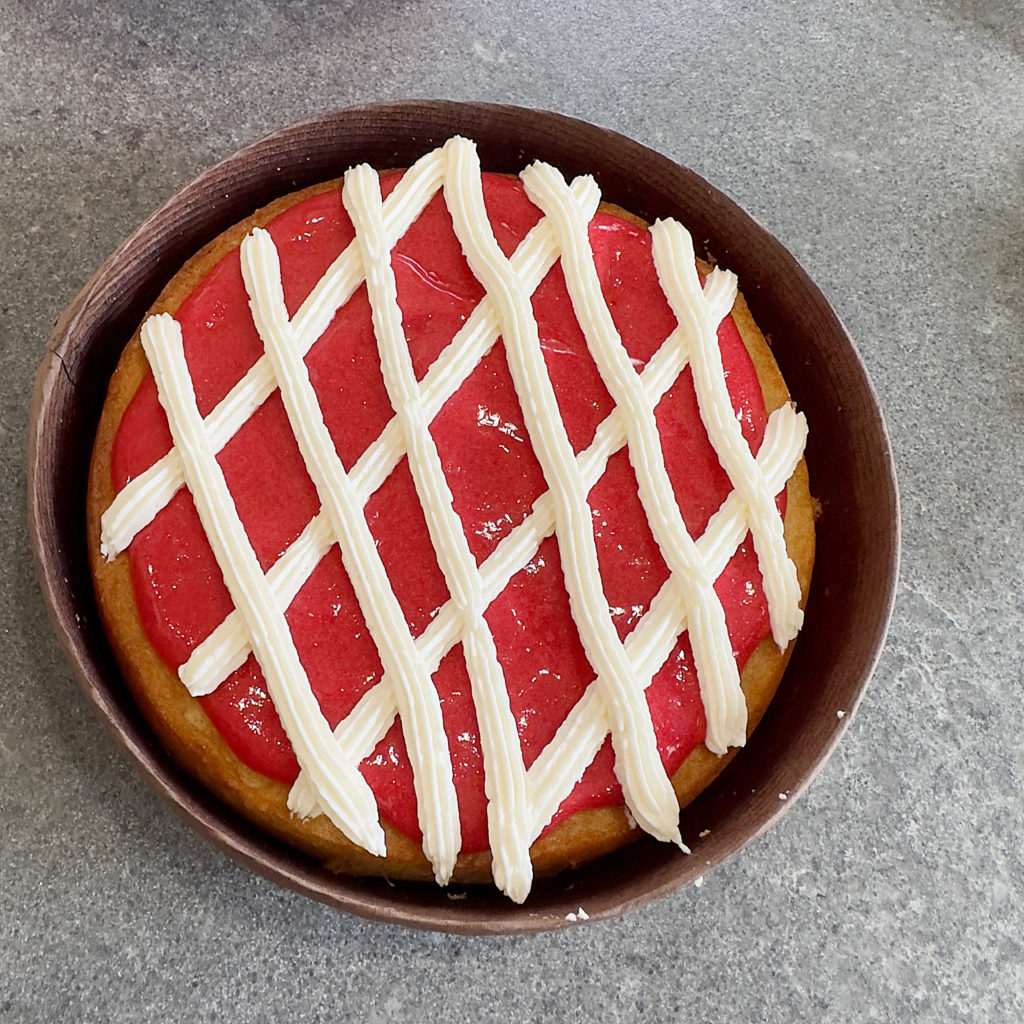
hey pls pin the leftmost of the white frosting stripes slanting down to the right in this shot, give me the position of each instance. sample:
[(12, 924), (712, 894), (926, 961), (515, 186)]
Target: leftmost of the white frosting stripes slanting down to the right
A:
[(347, 798)]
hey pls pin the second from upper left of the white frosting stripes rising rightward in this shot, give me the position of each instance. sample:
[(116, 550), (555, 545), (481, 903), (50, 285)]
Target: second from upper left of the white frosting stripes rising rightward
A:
[(227, 649)]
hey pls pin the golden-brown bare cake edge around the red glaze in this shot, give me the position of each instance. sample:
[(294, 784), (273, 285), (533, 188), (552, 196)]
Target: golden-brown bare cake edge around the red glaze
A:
[(184, 729)]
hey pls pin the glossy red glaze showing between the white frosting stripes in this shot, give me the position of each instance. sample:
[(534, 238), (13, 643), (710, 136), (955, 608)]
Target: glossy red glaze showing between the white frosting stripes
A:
[(495, 480)]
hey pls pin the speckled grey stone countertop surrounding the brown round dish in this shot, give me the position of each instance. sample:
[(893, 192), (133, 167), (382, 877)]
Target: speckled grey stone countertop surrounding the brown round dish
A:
[(884, 145)]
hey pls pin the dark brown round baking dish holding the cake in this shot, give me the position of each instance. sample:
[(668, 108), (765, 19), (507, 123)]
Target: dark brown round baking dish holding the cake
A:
[(849, 458)]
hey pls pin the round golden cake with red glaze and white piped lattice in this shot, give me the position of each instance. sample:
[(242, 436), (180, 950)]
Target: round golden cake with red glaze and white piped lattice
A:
[(452, 525)]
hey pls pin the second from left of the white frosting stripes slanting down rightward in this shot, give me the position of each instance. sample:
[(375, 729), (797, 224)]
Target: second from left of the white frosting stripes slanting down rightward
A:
[(418, 702)]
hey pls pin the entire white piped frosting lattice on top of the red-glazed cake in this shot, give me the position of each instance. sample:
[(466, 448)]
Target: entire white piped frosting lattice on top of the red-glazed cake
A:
[(521, 801)]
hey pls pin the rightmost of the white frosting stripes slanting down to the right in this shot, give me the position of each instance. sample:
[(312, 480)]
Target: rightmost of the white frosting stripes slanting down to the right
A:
[(674, 261)]
